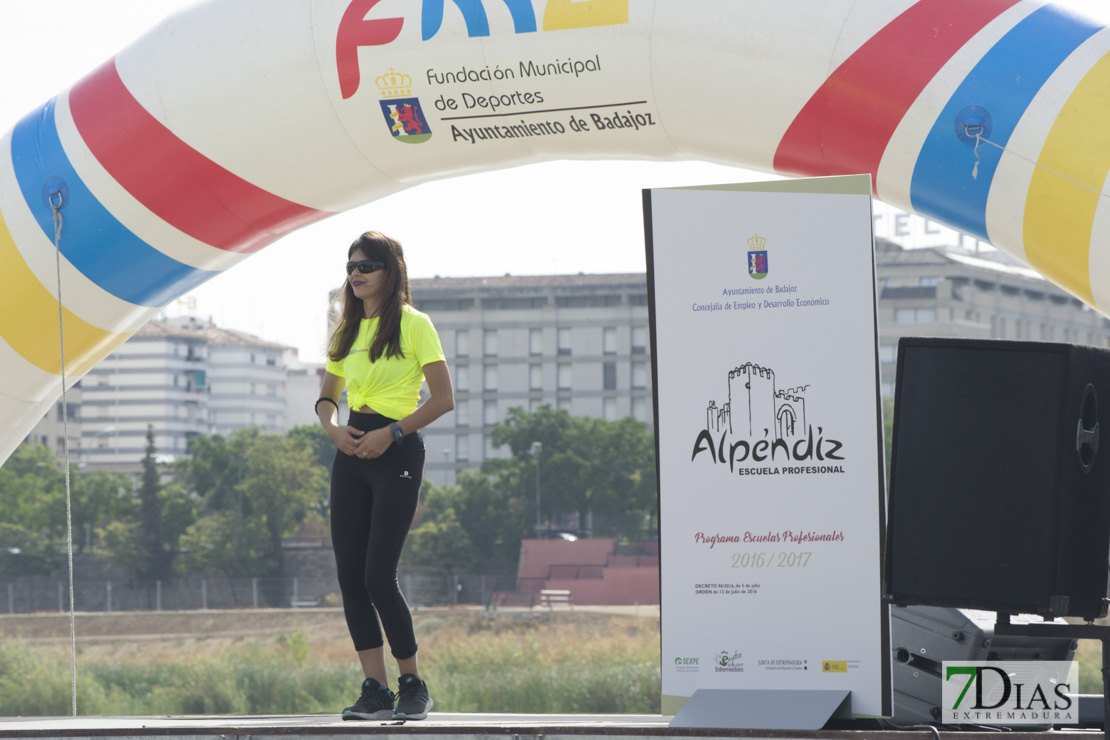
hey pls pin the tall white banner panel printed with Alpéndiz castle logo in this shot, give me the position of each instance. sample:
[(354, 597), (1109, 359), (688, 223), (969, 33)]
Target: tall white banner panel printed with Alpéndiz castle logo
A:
[(770, 434)]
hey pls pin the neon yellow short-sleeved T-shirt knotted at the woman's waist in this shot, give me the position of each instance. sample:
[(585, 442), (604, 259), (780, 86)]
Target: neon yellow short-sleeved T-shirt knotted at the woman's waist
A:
[(390, 387)]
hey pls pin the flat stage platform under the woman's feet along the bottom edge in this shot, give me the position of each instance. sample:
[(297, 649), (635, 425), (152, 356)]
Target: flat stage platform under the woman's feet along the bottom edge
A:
[(463, 727)]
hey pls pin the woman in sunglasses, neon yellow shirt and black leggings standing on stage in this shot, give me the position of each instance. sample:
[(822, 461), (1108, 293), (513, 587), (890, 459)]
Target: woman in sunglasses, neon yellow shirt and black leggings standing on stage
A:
[(382, 351)]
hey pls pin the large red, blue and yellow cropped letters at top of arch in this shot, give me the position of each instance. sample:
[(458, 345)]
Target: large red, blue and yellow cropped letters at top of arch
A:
[(356, 31)]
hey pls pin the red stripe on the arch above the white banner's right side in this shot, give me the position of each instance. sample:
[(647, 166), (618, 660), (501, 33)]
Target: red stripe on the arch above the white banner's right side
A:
[(846, 126)]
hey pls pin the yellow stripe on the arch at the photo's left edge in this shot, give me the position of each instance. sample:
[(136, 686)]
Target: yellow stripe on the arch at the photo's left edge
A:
[(29, 320)]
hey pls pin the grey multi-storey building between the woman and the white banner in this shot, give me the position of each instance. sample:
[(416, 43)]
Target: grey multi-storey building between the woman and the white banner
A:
[(574, 342)]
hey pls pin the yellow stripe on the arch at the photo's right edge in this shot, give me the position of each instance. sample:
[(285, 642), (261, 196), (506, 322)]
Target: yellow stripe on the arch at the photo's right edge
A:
[(1066, 187)]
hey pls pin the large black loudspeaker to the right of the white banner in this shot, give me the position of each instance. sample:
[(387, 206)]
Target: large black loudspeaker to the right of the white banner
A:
[(998, 486)]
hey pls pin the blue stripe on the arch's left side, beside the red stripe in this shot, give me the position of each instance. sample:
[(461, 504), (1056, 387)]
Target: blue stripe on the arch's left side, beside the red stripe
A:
[(93, 240)]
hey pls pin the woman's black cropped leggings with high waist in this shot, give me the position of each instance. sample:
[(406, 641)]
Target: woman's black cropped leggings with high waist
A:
[(374, 503)]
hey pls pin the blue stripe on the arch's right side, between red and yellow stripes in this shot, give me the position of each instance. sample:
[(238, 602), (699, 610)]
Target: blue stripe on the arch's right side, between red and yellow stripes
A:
[(1004, 84)]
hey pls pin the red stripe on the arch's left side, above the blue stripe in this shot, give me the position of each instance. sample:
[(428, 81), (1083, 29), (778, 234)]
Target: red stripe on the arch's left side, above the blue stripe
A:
[(174, 180)]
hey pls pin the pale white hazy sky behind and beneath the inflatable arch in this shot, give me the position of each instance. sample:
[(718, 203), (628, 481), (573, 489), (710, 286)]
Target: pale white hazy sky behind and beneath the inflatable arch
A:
[(543, 219)]
